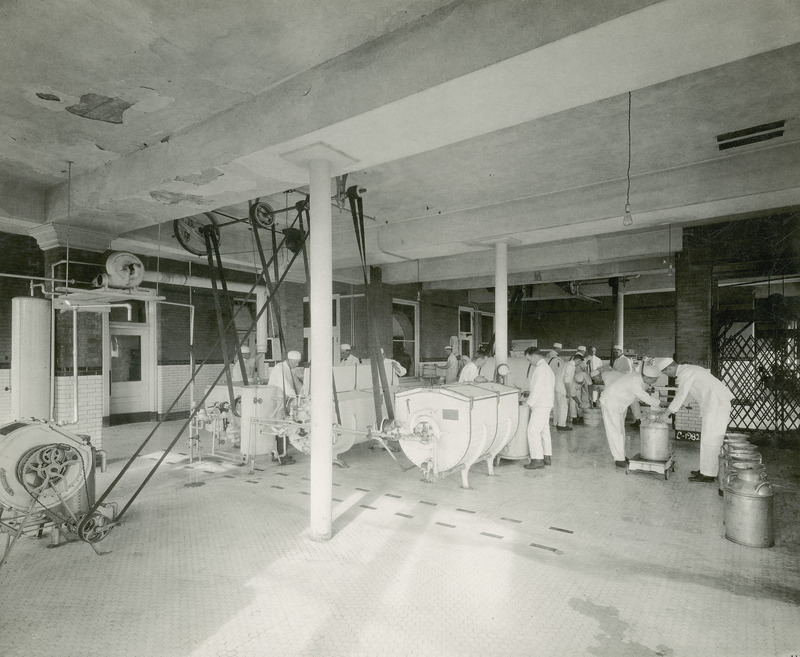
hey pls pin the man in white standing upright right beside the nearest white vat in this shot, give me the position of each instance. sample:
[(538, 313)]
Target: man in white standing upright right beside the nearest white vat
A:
[(540, 398)]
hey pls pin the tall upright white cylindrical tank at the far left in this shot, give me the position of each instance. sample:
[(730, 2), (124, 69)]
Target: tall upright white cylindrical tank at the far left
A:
[(30, 358)]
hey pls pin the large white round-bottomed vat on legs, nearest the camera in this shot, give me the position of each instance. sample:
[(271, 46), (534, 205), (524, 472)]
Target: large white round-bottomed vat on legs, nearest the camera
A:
[(453, 427)]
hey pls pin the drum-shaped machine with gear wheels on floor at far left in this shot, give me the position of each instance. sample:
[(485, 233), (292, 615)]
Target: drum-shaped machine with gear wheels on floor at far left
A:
[(47, 483)]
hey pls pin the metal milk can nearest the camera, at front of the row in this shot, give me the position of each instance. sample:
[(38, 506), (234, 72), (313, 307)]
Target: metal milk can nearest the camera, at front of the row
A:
[(748, 510)]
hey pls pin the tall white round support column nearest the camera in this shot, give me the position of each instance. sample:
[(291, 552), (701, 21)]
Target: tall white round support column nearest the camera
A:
[(321, 294)]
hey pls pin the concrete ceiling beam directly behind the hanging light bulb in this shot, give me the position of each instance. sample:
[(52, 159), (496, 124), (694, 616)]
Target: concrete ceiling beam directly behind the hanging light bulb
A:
[(735, 184)]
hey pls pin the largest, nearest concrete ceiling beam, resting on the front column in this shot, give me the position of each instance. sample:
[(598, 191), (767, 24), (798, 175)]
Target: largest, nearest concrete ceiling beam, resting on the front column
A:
[(419, 88)]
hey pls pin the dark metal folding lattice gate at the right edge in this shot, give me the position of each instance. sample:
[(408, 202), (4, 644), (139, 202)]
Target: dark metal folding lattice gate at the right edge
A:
[(764, 376)]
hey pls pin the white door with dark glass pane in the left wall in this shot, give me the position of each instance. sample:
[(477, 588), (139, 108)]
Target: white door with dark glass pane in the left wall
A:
[(130, 376)]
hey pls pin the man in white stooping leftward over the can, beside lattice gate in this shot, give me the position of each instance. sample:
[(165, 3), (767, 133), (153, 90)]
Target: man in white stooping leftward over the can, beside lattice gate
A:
[(715, 410)]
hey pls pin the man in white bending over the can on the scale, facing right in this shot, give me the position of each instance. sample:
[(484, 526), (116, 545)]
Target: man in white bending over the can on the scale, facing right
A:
[(614, 402)]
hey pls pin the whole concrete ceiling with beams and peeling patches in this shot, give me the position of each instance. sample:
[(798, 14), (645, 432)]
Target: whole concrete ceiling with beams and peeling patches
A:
[(468, 122)]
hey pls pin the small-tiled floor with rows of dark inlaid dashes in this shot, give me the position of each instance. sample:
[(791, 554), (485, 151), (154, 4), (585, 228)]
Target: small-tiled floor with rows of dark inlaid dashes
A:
[(577, 559)]
